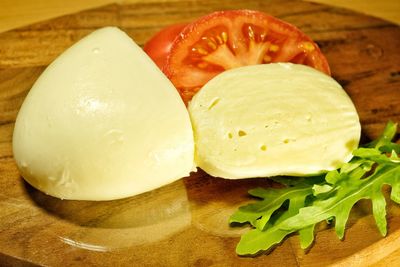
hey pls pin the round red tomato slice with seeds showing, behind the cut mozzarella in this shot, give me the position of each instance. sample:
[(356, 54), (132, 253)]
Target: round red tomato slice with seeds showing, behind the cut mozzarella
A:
[(228, 39)]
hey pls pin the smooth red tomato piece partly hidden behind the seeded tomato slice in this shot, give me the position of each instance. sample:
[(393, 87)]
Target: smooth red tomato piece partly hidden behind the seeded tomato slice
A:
[(159, 46)]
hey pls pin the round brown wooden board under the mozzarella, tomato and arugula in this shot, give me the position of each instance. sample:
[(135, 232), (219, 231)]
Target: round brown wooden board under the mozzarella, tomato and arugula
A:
[(185, 223)]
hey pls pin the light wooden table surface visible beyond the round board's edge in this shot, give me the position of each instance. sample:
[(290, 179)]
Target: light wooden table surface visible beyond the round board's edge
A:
[(17, 13)]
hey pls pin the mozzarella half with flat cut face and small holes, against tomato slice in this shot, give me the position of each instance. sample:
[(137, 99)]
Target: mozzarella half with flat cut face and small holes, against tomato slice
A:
[(273, 119)]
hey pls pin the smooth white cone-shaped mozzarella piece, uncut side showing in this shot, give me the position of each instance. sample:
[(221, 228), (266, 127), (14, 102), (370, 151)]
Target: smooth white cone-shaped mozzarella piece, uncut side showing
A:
[(102, 122)]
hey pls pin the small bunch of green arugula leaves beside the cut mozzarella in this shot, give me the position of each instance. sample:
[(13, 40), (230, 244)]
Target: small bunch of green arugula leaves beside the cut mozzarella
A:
[(330, 198)]
